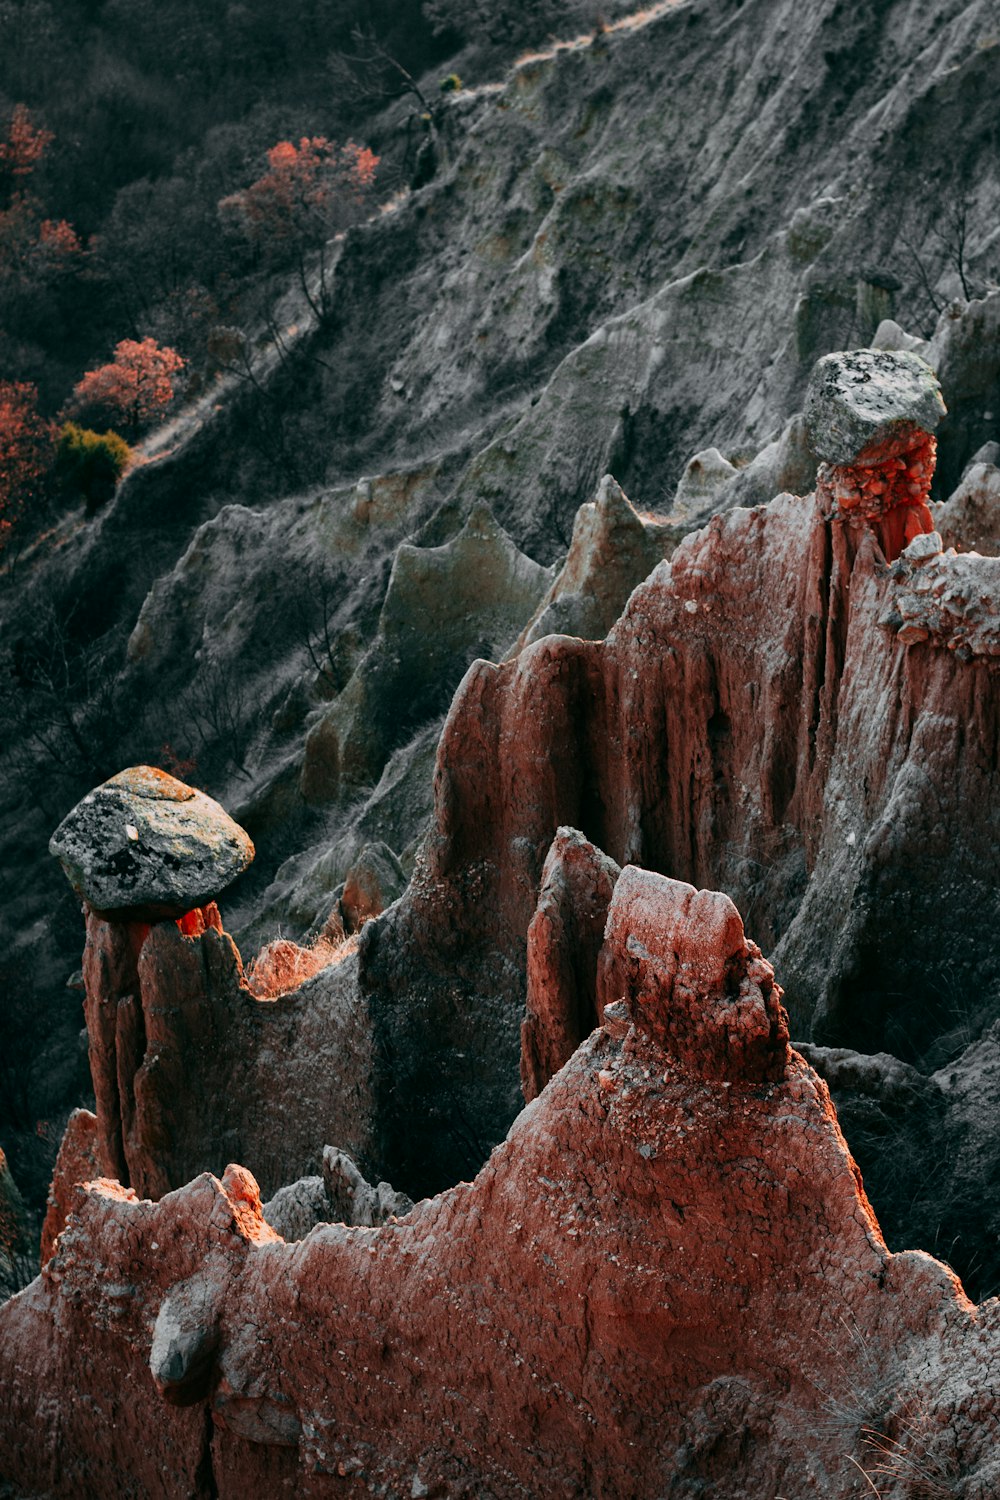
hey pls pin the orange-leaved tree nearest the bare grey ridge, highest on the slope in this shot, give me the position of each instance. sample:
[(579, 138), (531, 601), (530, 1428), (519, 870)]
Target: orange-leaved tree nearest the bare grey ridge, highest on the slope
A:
[(311, 193)]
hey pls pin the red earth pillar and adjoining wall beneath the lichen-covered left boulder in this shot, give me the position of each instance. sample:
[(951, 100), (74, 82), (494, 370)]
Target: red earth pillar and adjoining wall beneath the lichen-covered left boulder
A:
[(191, 1069)]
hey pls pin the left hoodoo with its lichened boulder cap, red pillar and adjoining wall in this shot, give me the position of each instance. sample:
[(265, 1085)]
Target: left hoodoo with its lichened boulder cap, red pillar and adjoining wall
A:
[(188, 1064)]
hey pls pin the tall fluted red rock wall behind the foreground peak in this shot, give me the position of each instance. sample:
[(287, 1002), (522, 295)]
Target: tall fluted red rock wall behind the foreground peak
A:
[(752, 724)]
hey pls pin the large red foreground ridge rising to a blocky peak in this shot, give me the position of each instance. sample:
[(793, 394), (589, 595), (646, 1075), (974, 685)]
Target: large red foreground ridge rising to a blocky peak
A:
[(666, 1282)]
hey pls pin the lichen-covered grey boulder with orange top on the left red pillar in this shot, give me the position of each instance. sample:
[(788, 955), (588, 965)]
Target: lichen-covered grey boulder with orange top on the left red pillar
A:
[(148, 845)]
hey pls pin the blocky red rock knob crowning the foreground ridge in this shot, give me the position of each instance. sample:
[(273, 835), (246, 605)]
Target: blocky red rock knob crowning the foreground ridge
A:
[(690, 979)]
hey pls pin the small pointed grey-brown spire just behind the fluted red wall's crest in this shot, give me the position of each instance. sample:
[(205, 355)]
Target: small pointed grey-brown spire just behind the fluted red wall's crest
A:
[(612, 551)]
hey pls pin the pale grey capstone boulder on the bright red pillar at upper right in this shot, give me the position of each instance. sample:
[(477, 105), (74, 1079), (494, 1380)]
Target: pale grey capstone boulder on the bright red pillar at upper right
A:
[(864, 400)]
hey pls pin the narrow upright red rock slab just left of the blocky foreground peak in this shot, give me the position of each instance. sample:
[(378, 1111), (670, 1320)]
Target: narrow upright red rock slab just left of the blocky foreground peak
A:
[(564, 940)]
